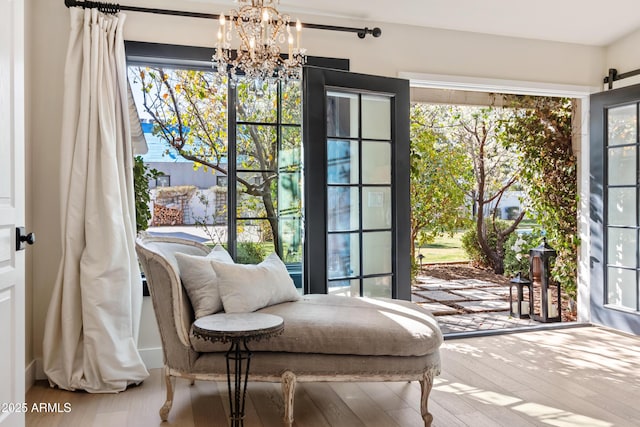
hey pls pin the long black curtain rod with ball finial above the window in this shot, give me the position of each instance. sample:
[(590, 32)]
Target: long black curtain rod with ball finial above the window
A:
[(113, 8)]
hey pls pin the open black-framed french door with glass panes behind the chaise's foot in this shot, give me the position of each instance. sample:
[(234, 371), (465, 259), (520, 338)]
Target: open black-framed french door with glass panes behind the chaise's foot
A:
[(356, 169)]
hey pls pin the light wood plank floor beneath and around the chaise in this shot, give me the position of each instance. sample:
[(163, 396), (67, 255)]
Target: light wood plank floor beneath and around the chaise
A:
[(568, 377)]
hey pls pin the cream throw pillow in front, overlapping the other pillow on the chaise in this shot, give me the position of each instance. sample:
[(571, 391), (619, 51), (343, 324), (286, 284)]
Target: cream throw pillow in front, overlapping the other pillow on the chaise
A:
[(247, 287)]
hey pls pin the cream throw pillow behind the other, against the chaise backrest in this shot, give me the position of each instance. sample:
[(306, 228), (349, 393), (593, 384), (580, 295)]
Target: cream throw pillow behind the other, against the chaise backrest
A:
[(200, 281)]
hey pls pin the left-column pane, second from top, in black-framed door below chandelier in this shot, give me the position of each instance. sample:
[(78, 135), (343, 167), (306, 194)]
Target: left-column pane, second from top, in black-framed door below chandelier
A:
[(256, 147)]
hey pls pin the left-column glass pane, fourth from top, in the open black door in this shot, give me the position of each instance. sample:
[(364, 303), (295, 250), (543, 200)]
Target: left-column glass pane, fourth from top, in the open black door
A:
[(343, 255)]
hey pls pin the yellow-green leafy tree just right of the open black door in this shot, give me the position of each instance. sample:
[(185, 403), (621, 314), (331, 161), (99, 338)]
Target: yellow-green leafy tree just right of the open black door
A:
[(440, 174)]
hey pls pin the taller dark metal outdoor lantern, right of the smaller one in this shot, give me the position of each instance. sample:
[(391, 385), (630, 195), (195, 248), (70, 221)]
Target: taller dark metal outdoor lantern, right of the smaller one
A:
[(547, 305)]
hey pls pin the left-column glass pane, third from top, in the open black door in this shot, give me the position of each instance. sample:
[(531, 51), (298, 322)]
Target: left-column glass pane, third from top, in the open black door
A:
[(343, 213)]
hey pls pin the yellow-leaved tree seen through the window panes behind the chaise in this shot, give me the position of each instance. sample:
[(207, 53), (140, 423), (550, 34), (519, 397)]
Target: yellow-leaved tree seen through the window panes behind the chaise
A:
[(189, 112)]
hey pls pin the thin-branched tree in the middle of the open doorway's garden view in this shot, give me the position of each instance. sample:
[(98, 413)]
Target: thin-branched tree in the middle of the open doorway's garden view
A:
[(495, 170)]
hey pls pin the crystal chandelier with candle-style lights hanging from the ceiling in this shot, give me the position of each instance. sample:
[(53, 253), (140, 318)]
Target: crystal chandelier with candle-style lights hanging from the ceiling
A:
[(261, 32)]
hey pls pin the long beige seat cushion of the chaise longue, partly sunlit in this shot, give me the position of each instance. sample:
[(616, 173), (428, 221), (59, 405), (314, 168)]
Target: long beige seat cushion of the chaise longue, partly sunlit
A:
[(331, 324)]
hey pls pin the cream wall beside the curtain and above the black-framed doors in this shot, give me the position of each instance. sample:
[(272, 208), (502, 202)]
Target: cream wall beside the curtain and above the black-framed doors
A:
[(400, 49)]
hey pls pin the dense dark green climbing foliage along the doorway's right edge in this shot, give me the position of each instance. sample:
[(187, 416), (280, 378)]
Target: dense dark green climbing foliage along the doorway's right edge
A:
[(541, 129)]
